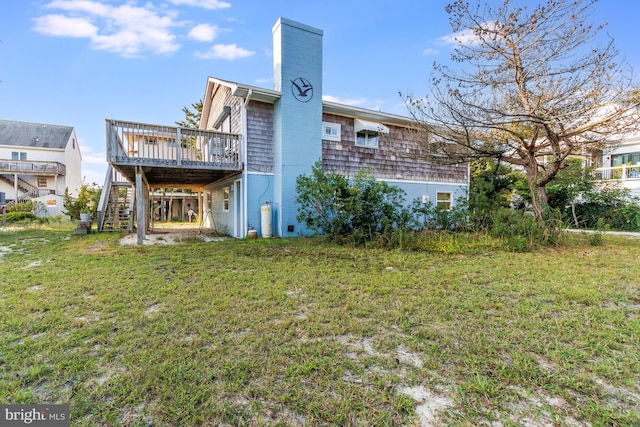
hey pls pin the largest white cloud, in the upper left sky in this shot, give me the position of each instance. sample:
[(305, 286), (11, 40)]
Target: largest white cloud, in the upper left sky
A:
[(127, 30)]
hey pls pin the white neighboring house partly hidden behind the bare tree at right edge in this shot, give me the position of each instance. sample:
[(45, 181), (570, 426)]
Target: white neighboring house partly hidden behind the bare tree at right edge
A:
[(620, 162)]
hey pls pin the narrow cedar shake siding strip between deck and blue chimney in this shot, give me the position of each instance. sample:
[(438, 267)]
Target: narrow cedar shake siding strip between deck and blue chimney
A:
[(260, 137)]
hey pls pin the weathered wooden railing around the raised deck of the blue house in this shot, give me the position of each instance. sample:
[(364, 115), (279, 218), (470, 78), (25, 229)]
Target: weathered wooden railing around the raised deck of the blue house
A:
[(140, 143)]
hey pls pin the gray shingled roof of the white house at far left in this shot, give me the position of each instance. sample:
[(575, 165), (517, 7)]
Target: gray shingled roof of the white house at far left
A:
[(34, 135)]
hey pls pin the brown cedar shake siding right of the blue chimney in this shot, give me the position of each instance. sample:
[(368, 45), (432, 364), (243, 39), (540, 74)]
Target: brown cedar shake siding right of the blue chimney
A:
[(398, 156)]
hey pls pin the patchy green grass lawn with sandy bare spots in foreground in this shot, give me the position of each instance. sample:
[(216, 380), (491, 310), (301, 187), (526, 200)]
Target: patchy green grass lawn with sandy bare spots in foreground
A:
[(293, 332)]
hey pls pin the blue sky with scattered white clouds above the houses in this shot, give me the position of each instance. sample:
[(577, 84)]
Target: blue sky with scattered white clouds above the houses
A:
[(80, 62)]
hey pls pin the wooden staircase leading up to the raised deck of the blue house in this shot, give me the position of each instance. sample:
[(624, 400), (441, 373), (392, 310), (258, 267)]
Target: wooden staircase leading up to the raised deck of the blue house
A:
[(116, 203)]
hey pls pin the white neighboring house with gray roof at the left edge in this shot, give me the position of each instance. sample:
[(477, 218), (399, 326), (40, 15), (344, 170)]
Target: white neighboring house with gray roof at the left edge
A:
[(38, 162)]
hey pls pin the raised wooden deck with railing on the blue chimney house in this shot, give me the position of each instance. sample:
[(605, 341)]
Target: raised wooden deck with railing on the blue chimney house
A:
[(172, 157)]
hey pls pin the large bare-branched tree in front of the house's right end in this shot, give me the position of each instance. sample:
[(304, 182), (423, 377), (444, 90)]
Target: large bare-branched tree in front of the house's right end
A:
[(530, 87)]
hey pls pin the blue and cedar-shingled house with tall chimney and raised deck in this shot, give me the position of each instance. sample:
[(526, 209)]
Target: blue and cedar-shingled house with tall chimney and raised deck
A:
[(253, 143)]
